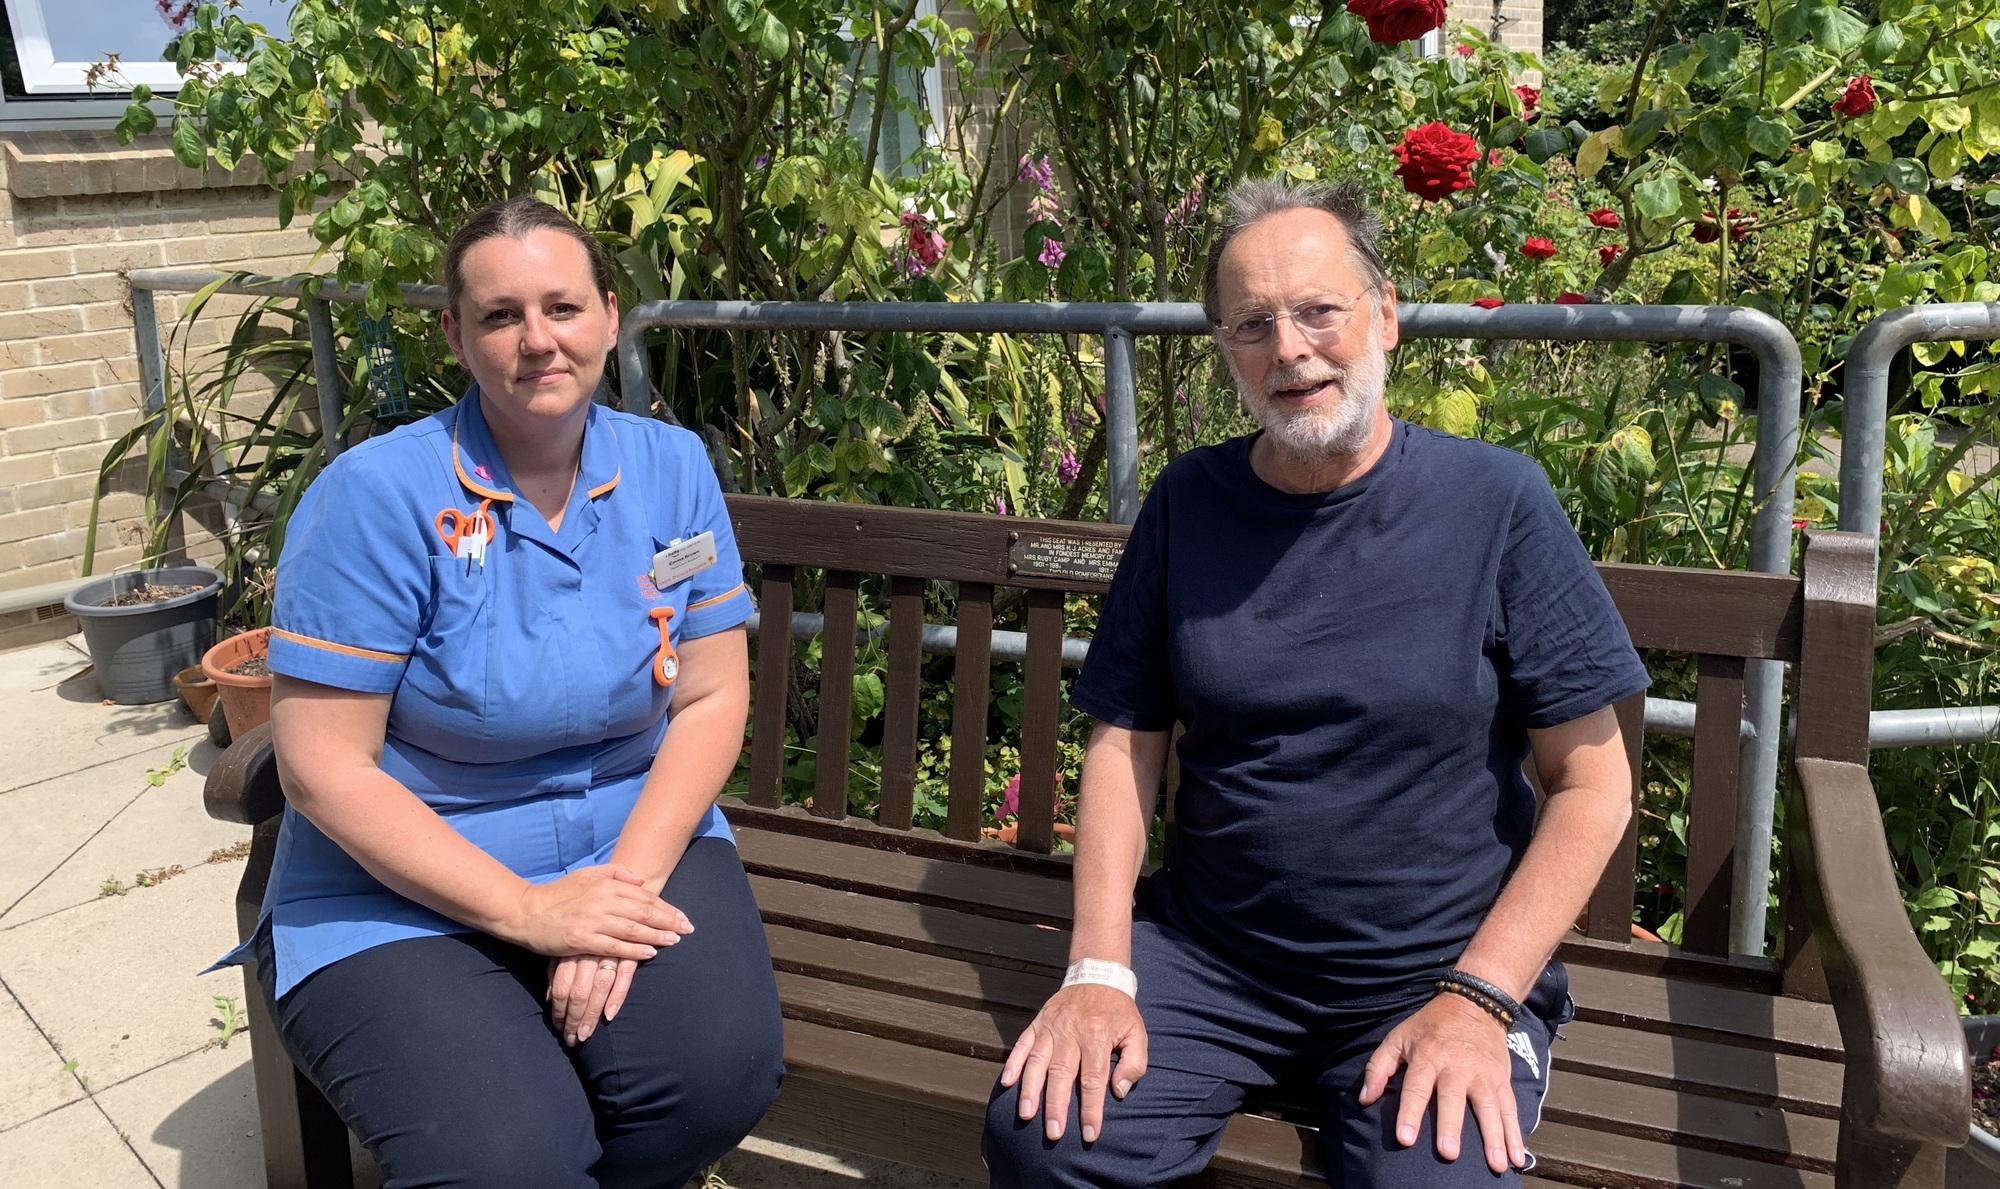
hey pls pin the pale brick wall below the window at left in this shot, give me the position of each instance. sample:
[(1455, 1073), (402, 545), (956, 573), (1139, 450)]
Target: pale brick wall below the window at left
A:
[(77, 211)]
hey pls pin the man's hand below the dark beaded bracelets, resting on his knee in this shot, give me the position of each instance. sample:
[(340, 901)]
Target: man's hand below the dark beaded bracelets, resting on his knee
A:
[(1459, 1054)]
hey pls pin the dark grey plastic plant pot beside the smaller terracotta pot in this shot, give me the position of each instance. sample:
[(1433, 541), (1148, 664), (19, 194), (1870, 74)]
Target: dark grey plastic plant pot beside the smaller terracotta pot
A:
[(139, 650)]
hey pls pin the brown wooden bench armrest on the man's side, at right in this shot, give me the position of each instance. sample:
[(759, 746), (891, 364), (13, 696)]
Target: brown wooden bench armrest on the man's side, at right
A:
[(1905, 1050)]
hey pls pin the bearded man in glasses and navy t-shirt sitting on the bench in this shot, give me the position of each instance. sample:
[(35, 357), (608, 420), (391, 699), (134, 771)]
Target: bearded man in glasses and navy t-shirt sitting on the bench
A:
[(1367, 630)]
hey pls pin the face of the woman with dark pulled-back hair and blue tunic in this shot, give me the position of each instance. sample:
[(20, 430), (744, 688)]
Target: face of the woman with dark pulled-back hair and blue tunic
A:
[(531, 325)]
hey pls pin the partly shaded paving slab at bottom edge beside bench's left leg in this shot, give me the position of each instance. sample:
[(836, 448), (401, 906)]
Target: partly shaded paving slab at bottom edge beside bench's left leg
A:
[(195, 1120)]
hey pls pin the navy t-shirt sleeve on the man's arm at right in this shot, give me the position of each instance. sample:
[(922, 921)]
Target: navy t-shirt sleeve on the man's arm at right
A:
[(1563, 648)]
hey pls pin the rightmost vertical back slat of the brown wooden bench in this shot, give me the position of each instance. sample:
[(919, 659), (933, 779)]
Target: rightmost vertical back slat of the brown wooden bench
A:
[(1719, 702)]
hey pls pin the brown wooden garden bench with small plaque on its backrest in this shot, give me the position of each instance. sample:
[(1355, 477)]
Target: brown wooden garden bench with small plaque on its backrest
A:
[(911, 960)]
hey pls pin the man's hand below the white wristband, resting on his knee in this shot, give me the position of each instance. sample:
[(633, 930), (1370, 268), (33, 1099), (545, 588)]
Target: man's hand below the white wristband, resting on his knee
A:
[(1071, 1046)]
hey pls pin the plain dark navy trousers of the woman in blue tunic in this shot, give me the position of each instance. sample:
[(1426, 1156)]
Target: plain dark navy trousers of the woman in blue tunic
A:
[(441, 1058)]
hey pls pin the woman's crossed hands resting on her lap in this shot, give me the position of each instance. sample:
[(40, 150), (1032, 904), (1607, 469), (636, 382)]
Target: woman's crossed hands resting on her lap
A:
[(595, 926)]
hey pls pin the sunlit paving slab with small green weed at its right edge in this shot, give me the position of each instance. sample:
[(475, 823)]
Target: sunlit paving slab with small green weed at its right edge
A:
[(115, 984)]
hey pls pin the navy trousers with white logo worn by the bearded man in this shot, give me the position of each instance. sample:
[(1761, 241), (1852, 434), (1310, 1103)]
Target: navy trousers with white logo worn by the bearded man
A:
[(1215, 1036)]
